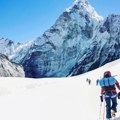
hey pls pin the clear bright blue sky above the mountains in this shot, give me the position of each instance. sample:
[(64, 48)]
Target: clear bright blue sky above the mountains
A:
[(24, 20)]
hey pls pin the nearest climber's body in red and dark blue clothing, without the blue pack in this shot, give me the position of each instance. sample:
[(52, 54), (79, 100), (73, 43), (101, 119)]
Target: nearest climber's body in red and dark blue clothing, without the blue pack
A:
[(110, 94)]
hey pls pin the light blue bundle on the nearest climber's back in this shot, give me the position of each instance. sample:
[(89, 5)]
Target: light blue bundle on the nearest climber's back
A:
[(107, 81)]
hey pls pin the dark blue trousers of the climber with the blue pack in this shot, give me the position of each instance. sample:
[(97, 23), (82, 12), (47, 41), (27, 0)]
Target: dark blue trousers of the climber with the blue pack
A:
[(111, 103)]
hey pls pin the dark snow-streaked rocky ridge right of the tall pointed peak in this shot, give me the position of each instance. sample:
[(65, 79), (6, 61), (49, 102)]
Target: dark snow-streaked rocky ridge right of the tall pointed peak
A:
[(104, 48)]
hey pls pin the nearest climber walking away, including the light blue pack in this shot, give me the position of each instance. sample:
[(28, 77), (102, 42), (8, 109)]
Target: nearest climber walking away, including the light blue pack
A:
[(108, 90)]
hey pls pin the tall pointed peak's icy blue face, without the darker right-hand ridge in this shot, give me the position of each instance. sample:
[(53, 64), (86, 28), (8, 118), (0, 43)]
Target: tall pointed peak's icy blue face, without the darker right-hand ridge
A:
[(57, 51)]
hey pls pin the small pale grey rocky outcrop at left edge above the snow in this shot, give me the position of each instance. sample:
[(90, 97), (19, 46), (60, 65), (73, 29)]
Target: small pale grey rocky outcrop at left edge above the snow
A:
[(8, 69)]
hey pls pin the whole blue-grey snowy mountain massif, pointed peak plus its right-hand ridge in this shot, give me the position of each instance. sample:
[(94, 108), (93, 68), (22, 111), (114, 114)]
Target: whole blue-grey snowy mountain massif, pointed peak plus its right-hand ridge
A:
[(79, 41)]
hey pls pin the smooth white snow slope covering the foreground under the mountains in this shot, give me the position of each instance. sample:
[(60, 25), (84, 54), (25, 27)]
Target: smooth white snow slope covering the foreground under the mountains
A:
[(54, 98)]
